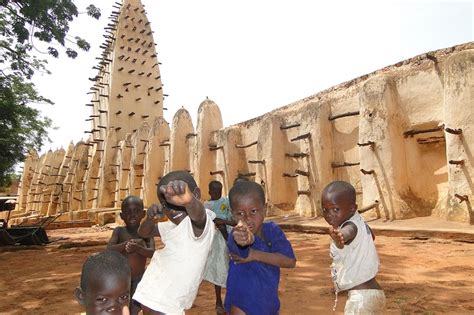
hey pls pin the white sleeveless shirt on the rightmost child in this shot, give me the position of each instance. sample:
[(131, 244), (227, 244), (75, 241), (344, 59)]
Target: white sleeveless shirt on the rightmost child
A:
[(358, 261)]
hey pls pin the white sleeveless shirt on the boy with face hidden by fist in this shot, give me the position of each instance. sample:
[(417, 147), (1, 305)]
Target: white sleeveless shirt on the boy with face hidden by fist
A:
[(171, 280)]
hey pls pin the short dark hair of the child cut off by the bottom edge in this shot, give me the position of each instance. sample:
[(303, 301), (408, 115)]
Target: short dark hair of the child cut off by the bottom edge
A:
[(103, 264)]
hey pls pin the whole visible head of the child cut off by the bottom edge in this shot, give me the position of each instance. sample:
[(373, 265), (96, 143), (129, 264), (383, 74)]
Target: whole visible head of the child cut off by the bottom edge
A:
[(105, 284)]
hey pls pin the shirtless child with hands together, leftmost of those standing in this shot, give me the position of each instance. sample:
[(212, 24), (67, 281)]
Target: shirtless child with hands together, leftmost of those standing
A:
[(126, 241)]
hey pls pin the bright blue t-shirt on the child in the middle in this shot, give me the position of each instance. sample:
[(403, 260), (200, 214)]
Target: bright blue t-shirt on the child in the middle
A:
[(253, 286)]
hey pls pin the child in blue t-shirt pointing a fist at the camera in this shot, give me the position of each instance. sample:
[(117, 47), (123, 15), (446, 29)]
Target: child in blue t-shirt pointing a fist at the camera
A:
[(258, 250)]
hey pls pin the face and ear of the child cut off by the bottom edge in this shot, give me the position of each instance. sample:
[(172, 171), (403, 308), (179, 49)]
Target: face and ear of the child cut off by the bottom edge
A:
[(107, 295)]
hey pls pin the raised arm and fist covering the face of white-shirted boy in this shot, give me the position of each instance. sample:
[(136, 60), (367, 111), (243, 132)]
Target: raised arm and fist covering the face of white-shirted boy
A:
[(178, 193)]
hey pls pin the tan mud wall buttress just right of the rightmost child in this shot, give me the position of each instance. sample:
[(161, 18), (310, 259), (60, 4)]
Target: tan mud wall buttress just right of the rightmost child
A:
[(383, 168)]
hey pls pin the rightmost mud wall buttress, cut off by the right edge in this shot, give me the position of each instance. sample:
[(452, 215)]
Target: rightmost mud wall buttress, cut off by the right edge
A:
[(459, 114)]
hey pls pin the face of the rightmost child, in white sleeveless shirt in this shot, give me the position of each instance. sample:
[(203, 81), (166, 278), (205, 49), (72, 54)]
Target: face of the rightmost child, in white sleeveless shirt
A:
[(337, 208)]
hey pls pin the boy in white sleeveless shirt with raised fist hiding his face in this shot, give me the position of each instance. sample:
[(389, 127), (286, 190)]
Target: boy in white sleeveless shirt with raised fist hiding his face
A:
[(171, 280)]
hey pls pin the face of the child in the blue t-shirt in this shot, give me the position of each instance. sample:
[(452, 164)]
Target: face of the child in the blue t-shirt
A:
[(250, 209)]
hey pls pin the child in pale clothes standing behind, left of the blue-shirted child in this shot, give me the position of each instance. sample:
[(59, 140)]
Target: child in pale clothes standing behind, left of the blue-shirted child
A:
[(217, 265)]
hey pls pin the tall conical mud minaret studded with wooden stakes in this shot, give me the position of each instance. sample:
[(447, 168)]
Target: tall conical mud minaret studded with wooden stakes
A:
[(128, 88)]
